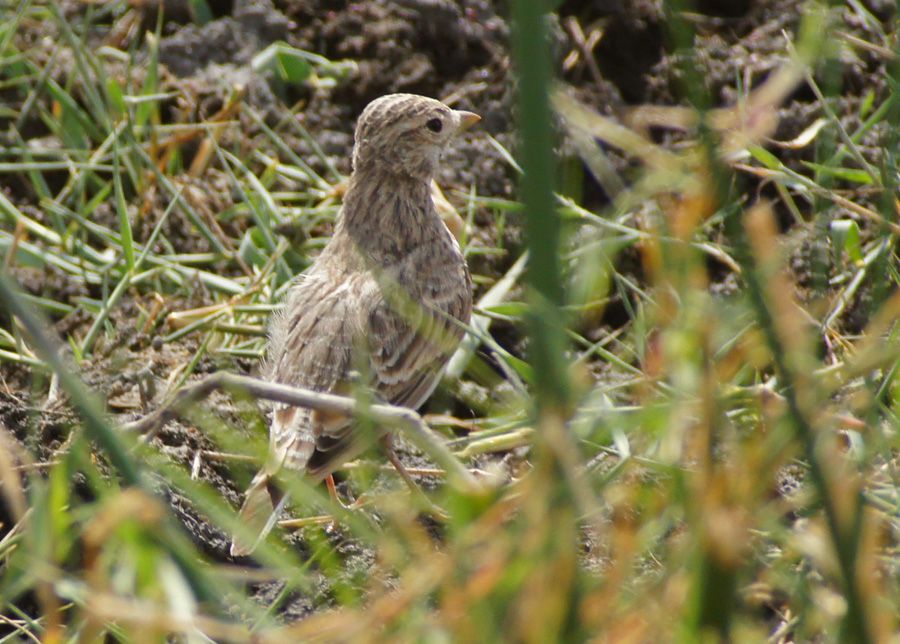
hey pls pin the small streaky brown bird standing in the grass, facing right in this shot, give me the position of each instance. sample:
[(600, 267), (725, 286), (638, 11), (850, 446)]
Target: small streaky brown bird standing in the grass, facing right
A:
[(382, 303)]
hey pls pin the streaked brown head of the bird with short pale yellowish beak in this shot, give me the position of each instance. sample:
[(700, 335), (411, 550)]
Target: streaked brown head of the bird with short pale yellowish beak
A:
[(405, 134)]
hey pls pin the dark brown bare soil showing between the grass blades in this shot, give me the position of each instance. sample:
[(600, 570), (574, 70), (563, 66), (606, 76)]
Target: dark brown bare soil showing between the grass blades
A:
[(458, 51)]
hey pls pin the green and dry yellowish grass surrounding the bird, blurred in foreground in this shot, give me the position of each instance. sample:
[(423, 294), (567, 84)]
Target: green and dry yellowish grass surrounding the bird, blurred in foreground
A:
[(722, 466)]
